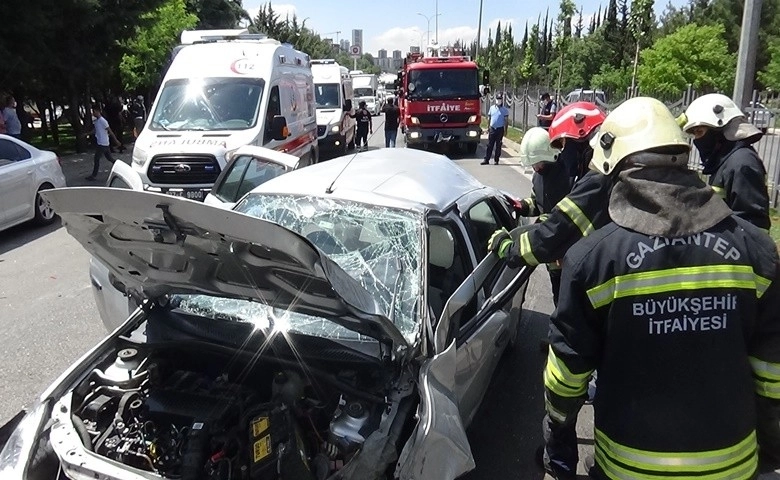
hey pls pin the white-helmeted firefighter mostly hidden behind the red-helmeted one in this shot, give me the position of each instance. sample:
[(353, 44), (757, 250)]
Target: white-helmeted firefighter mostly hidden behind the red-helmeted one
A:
[(550, 185)]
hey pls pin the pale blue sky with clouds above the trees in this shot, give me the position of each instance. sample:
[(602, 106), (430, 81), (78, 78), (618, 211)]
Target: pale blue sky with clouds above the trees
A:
[(396, 25)]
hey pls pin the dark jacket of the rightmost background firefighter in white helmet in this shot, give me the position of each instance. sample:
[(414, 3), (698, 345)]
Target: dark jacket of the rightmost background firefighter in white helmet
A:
[(739, 177)]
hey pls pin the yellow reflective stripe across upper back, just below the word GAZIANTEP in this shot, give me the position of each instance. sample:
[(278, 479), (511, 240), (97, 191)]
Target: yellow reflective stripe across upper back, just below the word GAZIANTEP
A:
[(675, 279)]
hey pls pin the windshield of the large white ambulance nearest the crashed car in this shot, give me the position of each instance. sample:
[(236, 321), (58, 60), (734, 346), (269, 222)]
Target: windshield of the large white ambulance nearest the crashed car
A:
[(208, 104)]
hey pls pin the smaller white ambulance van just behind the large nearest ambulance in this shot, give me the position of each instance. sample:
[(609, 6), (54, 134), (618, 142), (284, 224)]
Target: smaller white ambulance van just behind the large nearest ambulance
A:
[(333, 96)]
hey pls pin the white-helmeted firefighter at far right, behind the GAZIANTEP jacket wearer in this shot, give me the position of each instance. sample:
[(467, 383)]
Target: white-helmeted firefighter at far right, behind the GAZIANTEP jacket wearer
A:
[(723, 136)]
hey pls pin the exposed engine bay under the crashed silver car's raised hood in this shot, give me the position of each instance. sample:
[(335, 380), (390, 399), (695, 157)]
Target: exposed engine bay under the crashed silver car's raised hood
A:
[(185, 413)]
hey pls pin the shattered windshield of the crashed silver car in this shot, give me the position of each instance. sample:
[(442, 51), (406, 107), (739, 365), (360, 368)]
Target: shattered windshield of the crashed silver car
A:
[(380, 247)]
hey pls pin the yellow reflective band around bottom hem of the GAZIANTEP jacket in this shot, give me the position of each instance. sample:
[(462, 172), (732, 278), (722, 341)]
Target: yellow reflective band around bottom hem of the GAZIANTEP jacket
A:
[(738, 461)]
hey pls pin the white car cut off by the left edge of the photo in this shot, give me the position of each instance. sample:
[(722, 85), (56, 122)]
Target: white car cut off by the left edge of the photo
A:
[(25, 171)]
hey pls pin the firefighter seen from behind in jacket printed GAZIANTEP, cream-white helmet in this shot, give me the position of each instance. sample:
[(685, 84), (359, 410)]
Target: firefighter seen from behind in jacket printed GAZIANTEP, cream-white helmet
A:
[(675, 302)]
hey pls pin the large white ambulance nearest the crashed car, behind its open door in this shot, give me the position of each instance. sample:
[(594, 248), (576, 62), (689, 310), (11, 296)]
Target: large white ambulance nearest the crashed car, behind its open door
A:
[(225, 89)]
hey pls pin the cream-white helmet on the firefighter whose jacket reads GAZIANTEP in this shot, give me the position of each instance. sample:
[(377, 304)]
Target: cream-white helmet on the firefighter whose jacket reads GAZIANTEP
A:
[(637, 125)]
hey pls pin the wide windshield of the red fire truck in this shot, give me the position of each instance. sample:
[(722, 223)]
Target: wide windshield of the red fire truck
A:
[(451, 83)]
